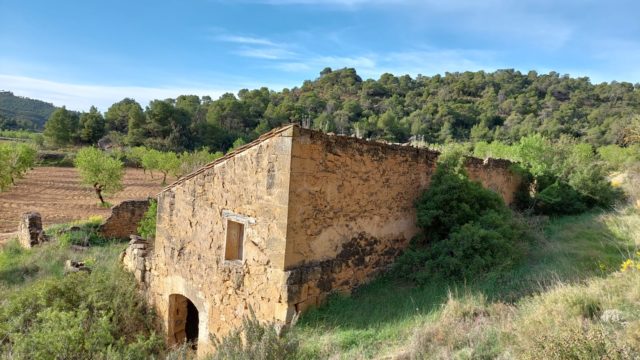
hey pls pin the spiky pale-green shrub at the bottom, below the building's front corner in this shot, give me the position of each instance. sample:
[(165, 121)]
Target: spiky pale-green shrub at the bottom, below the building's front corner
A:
[(254, 340)]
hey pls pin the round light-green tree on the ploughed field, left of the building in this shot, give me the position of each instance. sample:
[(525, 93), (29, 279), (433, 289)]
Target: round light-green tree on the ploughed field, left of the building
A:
[(99, 170)]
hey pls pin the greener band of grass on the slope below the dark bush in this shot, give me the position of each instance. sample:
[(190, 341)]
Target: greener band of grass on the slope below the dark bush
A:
[(382, 318)]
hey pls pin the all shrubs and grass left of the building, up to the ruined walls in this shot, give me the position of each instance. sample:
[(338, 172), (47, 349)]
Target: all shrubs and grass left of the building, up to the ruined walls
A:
[(46, 313)]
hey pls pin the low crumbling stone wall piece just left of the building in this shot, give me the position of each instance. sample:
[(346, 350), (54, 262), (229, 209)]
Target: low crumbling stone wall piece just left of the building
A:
[(124, 219)]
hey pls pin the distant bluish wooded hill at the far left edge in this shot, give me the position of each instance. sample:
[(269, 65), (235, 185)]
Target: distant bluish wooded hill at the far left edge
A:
[(18, 113)]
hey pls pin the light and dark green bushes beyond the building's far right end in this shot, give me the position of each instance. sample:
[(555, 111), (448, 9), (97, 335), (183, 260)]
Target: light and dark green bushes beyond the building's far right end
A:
[(567, 177)]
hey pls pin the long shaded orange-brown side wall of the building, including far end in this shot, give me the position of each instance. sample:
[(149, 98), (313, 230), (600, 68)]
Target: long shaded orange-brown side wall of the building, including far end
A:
[(352, 209)]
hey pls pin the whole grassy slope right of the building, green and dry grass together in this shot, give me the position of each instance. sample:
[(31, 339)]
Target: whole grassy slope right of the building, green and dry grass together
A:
[(486, 319)]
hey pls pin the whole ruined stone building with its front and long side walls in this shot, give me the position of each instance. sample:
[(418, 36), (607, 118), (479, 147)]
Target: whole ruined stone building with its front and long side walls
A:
[(282, 222)]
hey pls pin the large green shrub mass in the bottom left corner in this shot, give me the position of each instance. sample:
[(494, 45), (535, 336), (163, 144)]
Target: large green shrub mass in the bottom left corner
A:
[(77, 317)]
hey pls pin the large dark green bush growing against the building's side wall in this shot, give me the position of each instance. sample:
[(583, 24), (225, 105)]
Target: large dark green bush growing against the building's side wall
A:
[(466, 231)]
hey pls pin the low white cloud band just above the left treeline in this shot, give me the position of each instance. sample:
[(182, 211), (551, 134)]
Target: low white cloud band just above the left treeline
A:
[(82, 96)]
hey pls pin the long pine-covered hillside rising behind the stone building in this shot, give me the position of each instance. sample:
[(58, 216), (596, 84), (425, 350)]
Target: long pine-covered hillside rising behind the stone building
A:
[(503, 105)]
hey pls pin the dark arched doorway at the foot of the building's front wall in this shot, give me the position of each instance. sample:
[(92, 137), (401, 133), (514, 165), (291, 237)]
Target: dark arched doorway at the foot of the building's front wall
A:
[(183, 321)]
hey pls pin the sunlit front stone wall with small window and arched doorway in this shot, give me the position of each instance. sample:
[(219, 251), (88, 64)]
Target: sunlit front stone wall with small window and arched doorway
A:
[(188, 257)]
